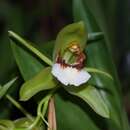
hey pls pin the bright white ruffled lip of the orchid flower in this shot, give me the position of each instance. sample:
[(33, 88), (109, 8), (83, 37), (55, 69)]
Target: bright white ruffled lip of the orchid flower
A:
[(69, 75)]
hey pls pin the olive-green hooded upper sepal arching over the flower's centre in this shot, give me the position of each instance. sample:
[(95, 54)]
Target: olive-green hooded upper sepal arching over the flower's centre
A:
[(71, 33)]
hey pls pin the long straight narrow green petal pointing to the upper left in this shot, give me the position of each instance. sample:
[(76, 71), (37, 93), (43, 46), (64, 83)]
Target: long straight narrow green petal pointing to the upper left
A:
[(31, 48)]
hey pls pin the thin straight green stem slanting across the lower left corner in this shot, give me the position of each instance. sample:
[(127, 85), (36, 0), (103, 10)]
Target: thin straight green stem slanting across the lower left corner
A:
[(15, 103)]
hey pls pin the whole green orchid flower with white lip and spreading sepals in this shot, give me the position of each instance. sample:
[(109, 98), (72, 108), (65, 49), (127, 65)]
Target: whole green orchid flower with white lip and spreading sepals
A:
[(67, 68)]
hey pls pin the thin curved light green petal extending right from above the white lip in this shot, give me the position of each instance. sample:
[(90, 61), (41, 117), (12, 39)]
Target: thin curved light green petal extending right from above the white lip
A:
[(94, 70)]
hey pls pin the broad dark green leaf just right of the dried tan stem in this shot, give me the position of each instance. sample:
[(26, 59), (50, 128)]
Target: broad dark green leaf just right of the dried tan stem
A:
[(70, 113)]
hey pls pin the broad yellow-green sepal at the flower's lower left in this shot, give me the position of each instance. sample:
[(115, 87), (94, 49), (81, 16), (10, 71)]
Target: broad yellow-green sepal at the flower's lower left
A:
[(42, 81)]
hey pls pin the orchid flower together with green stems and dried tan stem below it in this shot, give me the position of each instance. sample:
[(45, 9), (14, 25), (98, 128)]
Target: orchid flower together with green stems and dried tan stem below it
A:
[(66, 70)]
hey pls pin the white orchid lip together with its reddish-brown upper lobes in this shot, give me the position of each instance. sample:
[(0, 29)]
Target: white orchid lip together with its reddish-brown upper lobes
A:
[(71, 74)]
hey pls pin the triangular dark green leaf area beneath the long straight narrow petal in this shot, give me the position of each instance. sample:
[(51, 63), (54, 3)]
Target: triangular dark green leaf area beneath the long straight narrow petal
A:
[(27, 63)]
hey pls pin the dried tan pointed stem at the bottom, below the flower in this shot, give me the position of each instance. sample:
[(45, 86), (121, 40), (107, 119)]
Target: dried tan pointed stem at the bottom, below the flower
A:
[(52, 115)]
